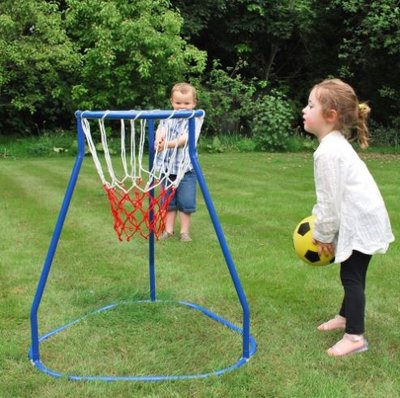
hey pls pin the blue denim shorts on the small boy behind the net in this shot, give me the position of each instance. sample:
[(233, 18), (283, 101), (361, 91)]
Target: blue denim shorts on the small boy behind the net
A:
[(185, 195)]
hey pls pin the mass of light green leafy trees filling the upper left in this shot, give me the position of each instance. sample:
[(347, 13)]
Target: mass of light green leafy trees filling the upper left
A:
[(59, 56)]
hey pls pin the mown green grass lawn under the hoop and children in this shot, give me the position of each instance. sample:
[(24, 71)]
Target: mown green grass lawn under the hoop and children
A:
[(259, 199)]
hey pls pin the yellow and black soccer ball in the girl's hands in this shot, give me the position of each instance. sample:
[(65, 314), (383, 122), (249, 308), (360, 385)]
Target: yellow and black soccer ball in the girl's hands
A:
[(304, 246)]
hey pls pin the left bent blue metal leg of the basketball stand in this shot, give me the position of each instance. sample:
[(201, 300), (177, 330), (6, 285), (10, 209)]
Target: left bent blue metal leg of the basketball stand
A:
[(35, 355)]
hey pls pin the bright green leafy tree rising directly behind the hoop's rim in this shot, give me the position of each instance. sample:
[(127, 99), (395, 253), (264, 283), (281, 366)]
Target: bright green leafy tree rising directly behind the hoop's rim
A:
[(131, 52)]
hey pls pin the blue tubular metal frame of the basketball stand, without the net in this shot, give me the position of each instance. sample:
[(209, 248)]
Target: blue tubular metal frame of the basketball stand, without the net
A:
[(248, 343)]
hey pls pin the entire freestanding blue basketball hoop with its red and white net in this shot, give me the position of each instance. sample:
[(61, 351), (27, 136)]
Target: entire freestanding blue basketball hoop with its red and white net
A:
[(139, 200)]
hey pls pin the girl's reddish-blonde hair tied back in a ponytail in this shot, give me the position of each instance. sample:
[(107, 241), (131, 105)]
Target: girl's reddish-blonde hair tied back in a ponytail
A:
[(352, 115)]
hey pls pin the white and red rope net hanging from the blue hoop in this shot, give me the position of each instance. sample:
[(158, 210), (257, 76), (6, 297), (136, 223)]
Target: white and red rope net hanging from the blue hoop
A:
[(139, 196)]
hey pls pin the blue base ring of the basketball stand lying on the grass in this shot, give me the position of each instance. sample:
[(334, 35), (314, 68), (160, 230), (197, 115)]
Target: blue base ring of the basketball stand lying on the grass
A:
[(252, 349)]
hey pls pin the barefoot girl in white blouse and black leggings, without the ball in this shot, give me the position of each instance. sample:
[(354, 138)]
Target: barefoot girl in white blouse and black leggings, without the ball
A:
[(351, 218)]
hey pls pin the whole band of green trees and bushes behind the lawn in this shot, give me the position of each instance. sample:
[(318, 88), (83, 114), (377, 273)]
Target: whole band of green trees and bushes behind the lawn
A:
[(62, 55)]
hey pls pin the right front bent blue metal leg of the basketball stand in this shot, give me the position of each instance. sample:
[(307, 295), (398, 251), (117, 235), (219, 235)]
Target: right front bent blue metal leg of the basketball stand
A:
[(221, 238)]
